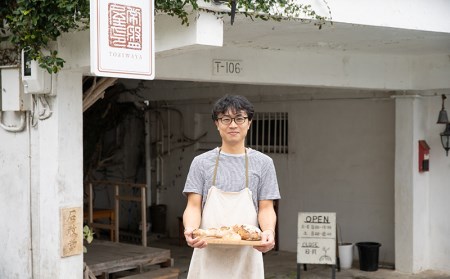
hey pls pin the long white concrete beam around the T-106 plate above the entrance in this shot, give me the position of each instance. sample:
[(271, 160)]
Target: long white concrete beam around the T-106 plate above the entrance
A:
[(347, 70)]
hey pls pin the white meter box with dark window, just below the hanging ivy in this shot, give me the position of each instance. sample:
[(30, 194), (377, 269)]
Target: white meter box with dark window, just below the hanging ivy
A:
[(35, 79)]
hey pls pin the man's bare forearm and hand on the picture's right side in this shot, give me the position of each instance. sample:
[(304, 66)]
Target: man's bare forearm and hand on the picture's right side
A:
[(267, 220)]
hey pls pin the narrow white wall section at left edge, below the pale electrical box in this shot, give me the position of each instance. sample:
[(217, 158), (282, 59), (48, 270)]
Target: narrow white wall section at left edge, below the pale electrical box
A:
[(15, 240)]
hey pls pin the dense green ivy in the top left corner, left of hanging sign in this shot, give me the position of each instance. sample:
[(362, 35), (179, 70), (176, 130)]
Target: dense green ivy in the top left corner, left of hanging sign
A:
[(32, 24)]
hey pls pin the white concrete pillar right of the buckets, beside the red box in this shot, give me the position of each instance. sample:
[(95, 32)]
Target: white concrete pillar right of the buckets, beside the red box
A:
[(411, 187)]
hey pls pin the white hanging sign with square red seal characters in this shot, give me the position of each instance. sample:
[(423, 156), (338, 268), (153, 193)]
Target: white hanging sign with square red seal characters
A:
[(122, 38)]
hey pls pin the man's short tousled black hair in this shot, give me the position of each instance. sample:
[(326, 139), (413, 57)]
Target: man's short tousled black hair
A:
[(235, 103)]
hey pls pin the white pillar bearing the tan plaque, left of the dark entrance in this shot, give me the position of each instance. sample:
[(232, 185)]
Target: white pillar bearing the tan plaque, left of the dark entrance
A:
[(57, 177)]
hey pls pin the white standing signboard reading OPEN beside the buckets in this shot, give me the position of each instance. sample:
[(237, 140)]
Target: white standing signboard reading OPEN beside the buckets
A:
[(316, 242)]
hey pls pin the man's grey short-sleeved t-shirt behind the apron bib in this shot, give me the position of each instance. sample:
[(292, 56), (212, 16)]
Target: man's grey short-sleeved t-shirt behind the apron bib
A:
[(230, 176)]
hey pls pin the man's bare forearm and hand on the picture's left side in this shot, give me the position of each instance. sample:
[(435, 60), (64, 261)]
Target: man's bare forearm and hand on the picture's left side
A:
[(192, 217)]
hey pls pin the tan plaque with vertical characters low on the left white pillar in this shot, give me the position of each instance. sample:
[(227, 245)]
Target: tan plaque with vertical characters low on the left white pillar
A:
[(71, 231)]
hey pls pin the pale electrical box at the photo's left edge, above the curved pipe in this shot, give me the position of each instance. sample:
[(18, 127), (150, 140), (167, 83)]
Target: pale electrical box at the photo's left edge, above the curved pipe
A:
[(12, 96)]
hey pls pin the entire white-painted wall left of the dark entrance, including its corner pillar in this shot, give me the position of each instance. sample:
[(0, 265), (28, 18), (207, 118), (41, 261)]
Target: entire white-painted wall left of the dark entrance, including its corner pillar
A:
[(42, 172)]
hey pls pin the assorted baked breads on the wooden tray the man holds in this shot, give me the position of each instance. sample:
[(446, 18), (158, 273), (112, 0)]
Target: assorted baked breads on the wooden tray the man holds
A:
[(236, 232)]
